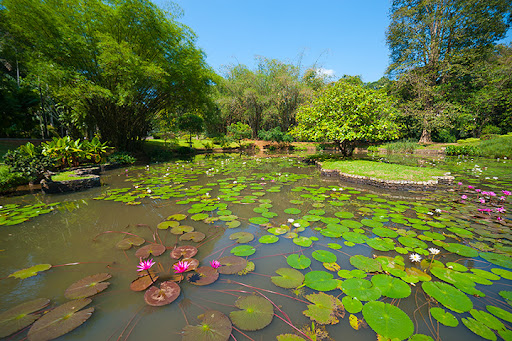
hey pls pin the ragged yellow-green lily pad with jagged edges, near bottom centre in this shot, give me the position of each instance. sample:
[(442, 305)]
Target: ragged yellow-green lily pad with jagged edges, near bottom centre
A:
[(325, 308)]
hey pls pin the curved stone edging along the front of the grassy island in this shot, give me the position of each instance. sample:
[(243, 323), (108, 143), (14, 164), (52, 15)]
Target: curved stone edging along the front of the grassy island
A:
[(400, 185)]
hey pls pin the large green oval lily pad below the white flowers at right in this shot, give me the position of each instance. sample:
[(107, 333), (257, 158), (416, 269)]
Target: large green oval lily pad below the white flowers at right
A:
[(452, 298)]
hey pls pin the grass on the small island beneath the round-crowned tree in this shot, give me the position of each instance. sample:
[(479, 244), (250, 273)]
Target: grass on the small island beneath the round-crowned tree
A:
[(385, 171)]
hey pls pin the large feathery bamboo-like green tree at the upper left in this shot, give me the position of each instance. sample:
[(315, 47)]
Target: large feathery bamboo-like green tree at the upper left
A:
[(111, 65)]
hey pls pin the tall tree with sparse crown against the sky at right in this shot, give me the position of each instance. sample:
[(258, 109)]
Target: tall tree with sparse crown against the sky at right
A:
[(426, 37)]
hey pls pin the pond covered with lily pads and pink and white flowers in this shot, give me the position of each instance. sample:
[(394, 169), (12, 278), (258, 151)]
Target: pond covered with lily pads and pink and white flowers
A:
[(301, 256)]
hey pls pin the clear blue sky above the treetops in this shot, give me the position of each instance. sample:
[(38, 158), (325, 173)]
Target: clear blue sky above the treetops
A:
[(339, 36)]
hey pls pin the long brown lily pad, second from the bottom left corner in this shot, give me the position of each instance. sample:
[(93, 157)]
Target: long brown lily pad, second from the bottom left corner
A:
[(60, 320)]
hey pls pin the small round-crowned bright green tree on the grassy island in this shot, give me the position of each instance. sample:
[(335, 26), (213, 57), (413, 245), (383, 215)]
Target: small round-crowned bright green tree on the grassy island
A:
[(347, 113)]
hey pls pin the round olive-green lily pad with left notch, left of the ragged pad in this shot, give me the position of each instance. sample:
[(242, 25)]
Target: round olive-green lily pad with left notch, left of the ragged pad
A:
[(256, 313)]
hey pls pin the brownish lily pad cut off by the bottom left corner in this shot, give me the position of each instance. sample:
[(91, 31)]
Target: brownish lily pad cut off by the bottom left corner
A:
[(21, 316)]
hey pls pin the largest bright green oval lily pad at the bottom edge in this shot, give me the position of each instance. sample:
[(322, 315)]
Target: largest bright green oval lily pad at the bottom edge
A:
[(387, 320)]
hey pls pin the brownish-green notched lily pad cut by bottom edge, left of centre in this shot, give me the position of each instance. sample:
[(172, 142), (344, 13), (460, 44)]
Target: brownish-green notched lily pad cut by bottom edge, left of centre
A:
[(215, 326)]
